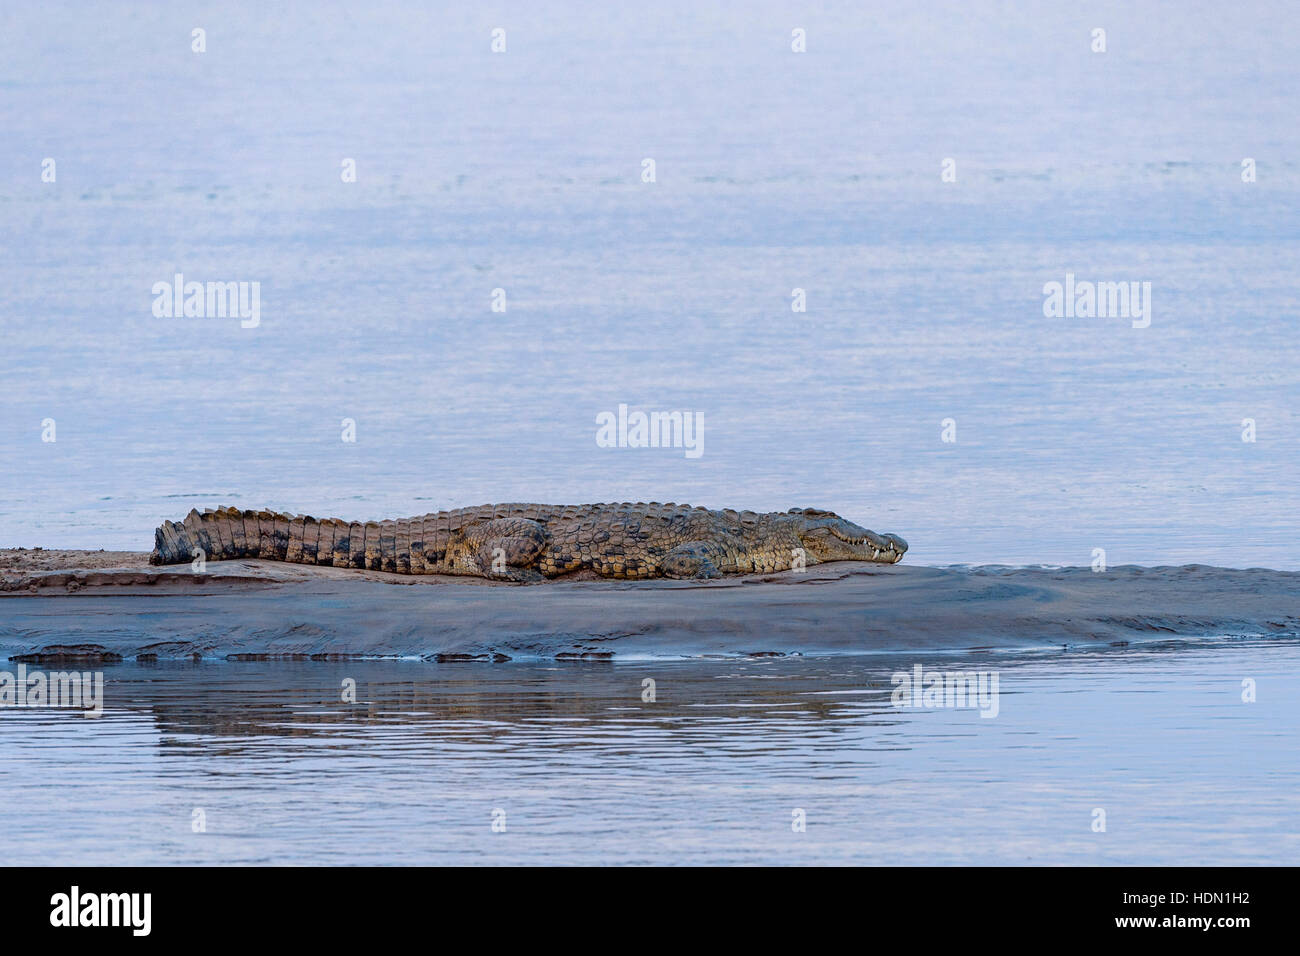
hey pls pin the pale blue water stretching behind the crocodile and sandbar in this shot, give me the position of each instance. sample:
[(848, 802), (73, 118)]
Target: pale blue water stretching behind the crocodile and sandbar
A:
[(775, 171)]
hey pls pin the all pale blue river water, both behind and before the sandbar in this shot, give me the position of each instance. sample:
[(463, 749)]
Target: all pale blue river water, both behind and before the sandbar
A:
[(774, 171)]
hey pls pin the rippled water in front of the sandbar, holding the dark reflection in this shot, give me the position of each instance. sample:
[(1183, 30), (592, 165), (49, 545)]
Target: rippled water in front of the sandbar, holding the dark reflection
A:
[(712, 772)]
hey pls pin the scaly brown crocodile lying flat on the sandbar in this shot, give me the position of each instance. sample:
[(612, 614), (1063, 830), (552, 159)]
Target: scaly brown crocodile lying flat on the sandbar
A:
[(531, 543)]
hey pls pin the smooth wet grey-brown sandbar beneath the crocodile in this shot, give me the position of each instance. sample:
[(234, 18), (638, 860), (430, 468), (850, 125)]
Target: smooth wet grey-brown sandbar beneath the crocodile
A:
[(105, 607)]
